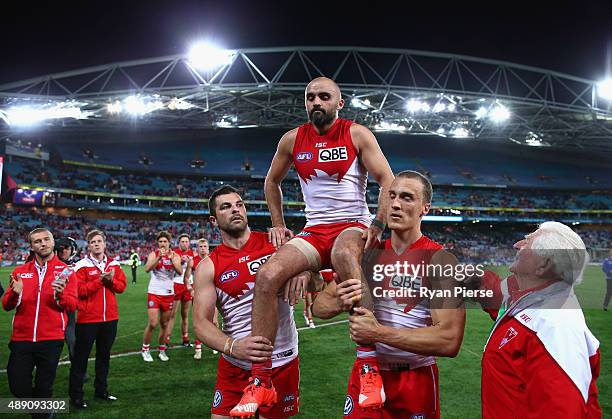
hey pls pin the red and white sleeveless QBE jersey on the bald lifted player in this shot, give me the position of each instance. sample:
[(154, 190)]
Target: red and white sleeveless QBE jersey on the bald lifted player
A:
[(333, 179)]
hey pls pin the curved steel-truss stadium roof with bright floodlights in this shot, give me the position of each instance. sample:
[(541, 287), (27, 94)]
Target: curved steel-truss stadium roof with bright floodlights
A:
[(407, 91)]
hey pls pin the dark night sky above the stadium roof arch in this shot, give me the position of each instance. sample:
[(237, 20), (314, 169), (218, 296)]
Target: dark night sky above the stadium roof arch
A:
[(574, 39)]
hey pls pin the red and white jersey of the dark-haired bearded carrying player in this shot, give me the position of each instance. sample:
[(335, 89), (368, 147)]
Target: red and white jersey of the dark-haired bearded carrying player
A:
[(234, 277)]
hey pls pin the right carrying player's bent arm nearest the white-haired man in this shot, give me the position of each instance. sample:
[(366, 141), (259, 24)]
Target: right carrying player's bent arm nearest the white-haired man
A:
[(442, 338)]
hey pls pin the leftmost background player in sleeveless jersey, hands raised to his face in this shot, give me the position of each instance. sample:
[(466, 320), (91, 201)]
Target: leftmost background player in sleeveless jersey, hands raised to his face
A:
[(163, 264)]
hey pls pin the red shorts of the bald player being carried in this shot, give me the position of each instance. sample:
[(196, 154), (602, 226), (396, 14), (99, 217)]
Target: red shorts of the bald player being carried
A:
[(323, 236)]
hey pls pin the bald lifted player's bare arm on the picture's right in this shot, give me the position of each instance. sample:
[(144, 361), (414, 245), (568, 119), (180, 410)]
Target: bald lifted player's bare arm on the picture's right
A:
[(373, 159)]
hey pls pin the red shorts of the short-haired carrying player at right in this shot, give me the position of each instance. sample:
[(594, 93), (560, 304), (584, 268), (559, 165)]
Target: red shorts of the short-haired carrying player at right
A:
[(412, 394)]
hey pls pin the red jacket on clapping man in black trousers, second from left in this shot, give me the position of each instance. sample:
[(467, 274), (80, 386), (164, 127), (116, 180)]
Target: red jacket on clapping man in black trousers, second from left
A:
[(97, 303)]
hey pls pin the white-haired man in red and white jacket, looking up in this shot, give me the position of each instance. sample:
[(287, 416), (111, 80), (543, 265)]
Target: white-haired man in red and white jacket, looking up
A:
[(541, 360)]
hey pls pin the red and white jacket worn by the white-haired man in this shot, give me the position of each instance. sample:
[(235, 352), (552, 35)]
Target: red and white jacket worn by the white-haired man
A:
[(541, 359)]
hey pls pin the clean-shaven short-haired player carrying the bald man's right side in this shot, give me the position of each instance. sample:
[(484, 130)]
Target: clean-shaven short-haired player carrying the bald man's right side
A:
[(410, 331)]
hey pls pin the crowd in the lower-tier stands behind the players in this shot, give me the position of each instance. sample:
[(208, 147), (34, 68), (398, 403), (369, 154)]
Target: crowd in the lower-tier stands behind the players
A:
[(481, 242)]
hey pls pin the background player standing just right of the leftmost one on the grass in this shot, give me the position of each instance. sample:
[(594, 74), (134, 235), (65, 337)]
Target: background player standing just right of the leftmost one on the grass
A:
[(181, 293)]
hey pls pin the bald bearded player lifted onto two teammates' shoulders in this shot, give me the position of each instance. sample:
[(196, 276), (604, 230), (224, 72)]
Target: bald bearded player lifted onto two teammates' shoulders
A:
[(332, 157)]
